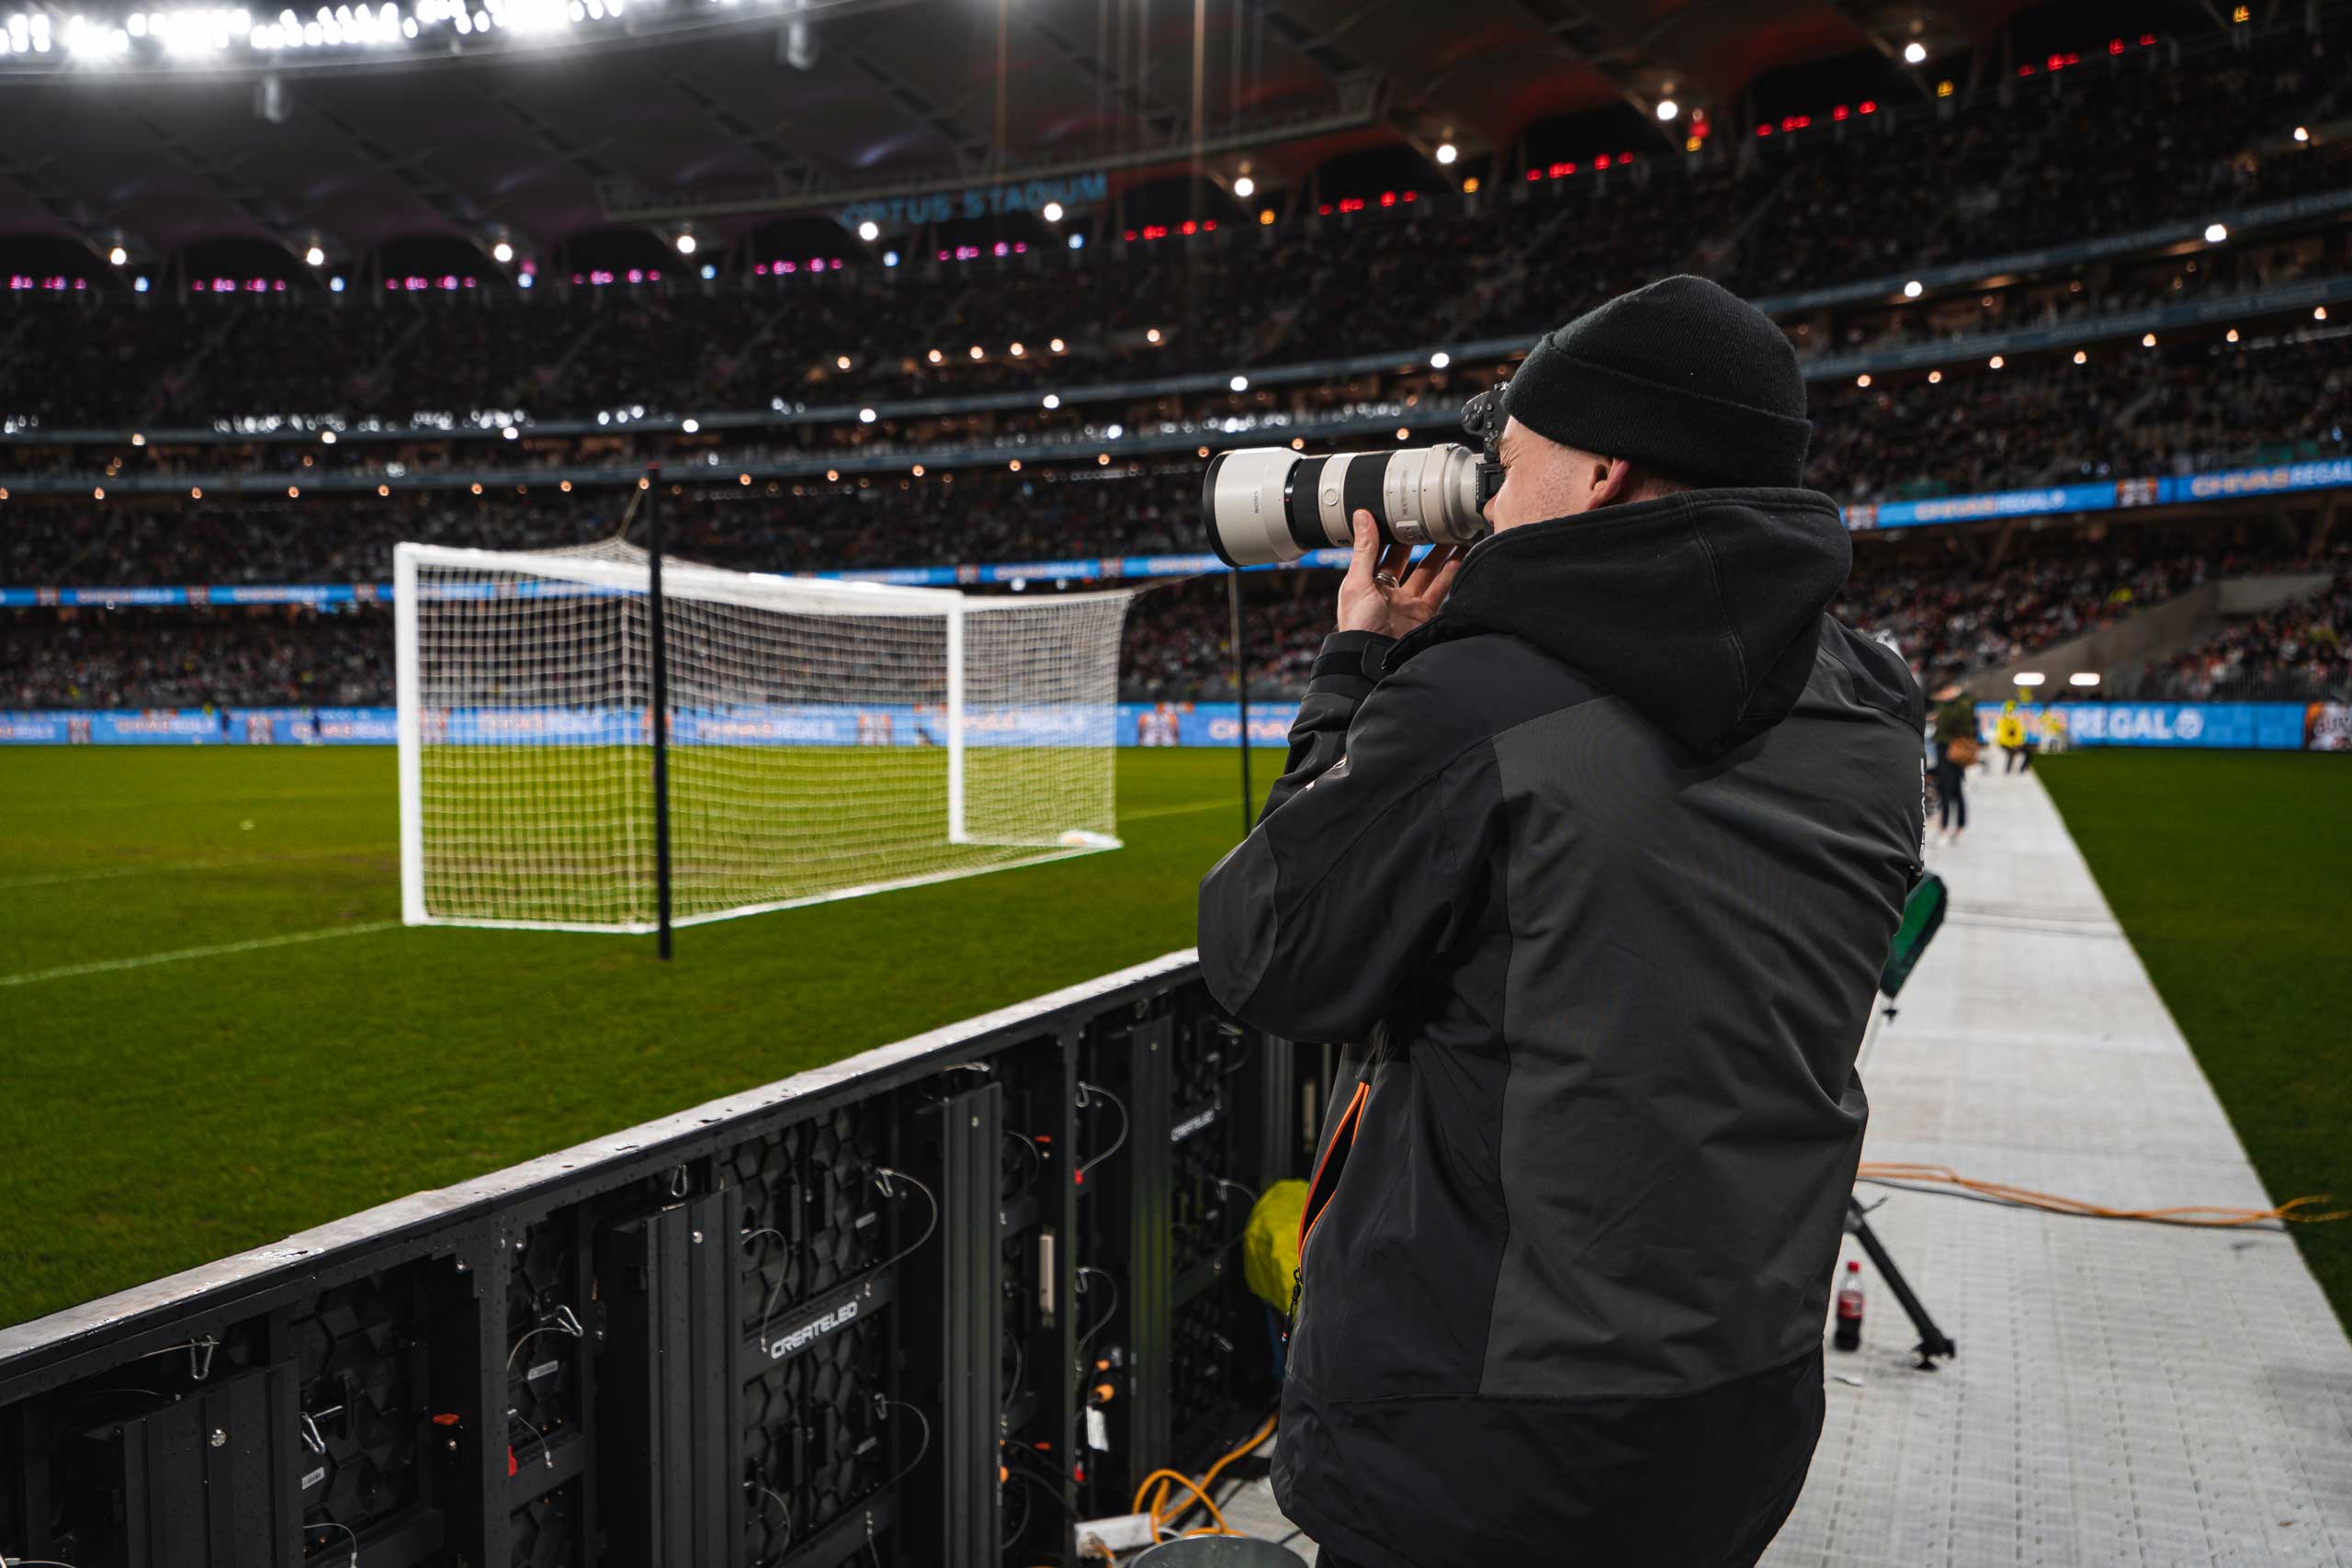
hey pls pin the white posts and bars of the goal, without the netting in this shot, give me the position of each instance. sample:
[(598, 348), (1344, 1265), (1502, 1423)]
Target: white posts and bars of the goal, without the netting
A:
[(686, 582)]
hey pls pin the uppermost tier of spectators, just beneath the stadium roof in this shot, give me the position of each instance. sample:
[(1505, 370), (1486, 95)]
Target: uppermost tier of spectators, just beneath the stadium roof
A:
[(2092, 149)]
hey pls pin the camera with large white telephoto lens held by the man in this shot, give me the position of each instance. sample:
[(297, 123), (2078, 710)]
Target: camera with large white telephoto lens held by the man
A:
[(1271, 504)]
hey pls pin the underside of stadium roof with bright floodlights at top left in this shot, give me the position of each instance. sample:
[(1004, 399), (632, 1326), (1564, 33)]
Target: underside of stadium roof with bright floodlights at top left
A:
[(726, 114)]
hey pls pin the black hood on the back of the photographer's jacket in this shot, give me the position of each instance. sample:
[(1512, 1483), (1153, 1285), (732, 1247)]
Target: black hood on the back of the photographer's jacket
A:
[(1702, 610)]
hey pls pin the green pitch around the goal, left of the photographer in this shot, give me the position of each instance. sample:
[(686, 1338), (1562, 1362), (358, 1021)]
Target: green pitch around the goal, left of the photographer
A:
[(218, 1031)]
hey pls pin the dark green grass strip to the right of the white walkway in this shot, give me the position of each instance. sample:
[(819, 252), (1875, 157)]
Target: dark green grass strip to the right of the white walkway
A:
[(2229, 873)]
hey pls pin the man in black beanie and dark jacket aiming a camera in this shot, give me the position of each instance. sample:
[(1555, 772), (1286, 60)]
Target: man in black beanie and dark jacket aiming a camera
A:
[(1589, 855)]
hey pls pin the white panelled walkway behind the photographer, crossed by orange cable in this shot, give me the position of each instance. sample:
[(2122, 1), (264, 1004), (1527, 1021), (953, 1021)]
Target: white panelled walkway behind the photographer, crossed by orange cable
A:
[(2125, 1395)]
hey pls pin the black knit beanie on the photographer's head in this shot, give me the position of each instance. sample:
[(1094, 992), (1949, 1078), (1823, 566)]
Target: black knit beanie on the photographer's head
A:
[(1681, 377)]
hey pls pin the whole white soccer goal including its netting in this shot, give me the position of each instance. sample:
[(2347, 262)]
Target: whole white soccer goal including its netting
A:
[(824, 739)]
